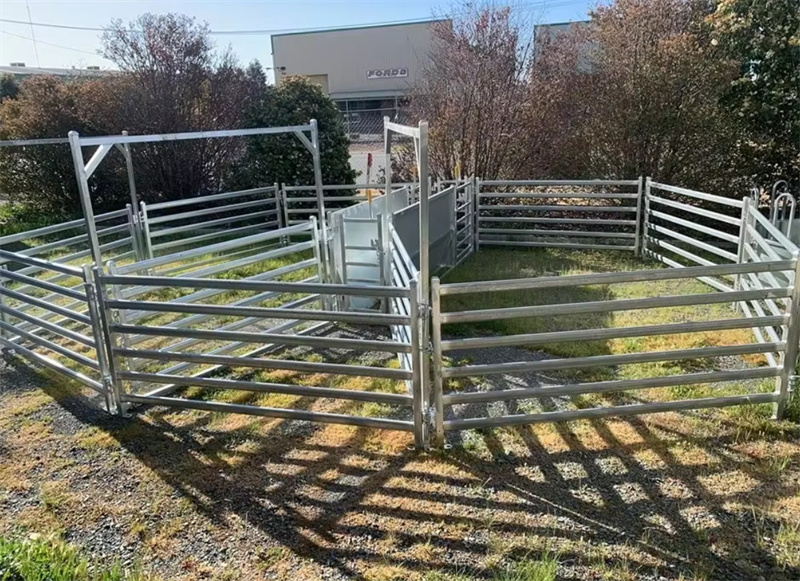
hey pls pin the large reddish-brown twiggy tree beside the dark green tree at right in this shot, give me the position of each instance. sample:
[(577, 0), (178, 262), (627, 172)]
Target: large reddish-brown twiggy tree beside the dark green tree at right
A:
[(643, 84)]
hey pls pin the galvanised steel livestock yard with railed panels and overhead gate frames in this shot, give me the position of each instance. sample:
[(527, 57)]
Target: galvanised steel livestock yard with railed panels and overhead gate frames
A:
[(320, 299)]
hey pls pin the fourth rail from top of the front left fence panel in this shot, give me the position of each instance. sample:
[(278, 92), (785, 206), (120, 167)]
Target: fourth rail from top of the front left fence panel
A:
[(287, 364)]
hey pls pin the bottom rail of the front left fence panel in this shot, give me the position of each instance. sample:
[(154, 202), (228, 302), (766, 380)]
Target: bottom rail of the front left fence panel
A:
[(281, 413)]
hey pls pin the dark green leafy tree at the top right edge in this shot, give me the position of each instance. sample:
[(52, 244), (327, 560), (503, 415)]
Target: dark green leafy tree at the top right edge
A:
[(762, 37)]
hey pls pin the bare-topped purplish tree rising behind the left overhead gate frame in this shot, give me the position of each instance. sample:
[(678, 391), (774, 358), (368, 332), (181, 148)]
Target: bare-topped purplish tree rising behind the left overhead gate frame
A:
[(174, 81)]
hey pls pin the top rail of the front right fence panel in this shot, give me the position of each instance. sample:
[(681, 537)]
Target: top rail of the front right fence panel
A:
[(613, 277)]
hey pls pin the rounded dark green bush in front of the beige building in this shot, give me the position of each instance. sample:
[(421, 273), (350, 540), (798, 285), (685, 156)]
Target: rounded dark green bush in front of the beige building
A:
[(283, 158)]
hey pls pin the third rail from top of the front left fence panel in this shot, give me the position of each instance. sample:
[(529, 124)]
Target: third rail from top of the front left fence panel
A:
[(295, 340)]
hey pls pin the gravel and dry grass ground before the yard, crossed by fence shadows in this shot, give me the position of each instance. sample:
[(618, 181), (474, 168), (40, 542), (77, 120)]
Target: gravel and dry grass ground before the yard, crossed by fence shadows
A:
[(193, 495)]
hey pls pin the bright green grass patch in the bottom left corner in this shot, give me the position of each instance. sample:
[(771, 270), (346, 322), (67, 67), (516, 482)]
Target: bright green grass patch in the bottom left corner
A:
[(38, 558)]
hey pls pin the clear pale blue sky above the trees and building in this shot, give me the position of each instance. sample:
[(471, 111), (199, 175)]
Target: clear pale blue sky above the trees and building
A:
[(67, 48)]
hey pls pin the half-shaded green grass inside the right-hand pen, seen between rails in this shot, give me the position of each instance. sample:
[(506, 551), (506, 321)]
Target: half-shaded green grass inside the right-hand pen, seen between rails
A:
[(504, 264)]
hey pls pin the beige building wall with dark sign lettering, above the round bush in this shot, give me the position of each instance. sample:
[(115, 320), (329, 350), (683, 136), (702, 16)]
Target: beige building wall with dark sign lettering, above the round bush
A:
[(358, 62)]
